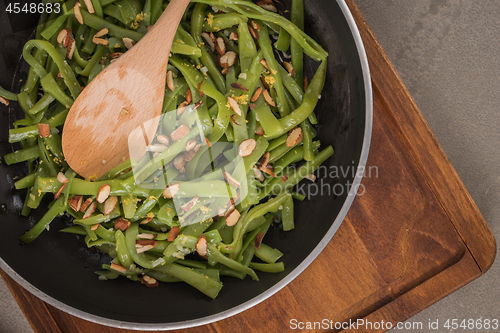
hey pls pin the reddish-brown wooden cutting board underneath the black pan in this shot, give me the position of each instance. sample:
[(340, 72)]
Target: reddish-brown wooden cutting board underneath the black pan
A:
[(412, 238)]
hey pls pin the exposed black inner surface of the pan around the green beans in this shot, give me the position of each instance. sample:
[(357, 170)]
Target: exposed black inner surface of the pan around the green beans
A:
[(60, 266)]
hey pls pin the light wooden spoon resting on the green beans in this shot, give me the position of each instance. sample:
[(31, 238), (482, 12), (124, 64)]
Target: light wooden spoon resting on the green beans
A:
[(125, 95)]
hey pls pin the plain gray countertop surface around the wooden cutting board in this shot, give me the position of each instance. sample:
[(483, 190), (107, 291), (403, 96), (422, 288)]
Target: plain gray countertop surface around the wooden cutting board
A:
[(446, 52)]
